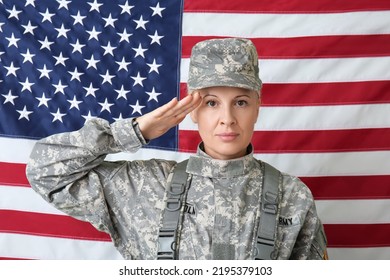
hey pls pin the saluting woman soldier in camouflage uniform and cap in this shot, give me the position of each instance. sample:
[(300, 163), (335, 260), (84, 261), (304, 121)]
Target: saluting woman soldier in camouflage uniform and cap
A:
[(128, 199)]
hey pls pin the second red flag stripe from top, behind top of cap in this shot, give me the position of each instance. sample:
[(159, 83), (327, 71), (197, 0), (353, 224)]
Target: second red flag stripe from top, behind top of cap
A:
[(311, 47)]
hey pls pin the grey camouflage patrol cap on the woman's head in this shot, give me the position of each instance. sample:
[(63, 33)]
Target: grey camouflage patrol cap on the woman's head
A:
[(224, 62)]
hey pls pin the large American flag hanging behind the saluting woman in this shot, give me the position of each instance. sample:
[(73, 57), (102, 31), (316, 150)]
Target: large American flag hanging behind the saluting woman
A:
[(325, 115)]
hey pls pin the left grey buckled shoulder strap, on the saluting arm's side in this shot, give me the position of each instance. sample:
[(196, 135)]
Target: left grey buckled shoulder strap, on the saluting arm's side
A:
[(168, 234)]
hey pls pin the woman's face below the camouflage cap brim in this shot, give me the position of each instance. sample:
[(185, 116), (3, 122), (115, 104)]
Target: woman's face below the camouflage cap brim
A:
[(226, 119)]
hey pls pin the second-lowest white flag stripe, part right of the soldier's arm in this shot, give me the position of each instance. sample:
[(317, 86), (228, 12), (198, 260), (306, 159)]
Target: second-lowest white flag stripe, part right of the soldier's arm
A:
[(365, 211)]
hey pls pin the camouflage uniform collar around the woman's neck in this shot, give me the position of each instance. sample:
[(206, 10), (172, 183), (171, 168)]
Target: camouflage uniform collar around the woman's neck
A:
[(203, 165)]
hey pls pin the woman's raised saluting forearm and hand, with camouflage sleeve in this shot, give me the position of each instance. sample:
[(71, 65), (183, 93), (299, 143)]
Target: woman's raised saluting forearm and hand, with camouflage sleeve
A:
[(63, 158)]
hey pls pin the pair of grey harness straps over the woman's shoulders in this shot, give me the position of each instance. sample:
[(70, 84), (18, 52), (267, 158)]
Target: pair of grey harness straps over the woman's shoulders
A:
[(169, 234)]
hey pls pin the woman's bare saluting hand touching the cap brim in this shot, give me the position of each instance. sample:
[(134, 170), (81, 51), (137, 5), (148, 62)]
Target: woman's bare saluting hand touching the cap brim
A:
[(160, 120)]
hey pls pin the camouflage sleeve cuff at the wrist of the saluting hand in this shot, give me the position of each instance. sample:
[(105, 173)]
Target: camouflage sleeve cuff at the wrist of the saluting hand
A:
[(128, 135)]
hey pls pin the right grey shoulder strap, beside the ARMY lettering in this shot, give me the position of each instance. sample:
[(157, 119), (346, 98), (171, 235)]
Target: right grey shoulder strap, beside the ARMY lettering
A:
[(269, 211)]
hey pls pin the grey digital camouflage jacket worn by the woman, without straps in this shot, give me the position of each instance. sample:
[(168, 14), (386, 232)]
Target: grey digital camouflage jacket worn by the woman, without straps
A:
[(126, 199)]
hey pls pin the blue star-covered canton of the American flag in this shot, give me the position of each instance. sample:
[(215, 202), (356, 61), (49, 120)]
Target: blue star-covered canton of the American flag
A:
[(63, 62)]
